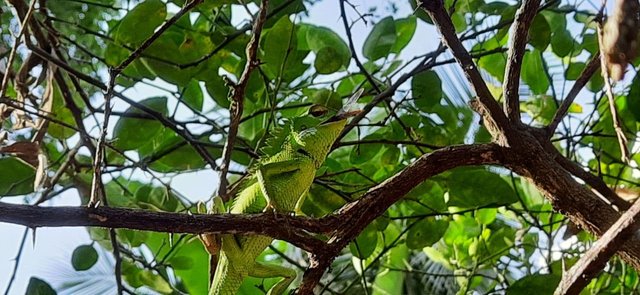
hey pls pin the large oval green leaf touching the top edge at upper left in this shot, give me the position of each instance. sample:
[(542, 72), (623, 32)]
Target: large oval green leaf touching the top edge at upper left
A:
[(139, 23)]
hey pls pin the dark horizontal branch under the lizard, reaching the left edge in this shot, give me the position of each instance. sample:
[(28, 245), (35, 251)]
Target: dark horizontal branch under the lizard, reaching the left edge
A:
[(290, 228)]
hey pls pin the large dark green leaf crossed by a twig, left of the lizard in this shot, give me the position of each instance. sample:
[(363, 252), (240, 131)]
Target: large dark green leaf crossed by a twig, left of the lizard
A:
[(131, 132)]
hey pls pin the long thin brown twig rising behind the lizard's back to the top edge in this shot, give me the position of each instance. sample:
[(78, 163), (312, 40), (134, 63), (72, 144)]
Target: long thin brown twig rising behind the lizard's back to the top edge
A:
[(237, 97)]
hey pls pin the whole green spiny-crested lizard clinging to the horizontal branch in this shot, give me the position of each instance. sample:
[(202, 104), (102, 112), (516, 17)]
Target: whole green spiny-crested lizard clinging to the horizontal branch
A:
[(277, 183)]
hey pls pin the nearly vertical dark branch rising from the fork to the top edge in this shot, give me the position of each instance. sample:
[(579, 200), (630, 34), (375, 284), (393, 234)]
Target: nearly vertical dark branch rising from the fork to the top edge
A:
[(519, 36)]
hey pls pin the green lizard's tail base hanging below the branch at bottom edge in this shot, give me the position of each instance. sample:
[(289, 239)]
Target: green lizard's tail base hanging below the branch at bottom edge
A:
[(227, 278)]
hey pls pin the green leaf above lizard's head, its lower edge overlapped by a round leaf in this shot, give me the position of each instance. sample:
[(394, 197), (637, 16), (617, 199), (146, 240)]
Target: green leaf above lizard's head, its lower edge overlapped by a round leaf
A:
[(321, 37)]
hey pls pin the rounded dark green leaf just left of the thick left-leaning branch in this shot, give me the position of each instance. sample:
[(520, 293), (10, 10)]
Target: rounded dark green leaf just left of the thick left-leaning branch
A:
[(427, 90)]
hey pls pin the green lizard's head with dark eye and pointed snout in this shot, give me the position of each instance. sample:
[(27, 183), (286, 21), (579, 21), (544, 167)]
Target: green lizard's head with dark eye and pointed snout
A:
[(315, 133)]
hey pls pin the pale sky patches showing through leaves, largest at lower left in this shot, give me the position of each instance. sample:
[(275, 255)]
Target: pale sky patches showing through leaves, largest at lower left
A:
[(49, 258)]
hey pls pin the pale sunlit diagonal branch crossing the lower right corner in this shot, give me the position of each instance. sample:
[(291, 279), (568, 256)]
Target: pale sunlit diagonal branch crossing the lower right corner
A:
[(595, 259)]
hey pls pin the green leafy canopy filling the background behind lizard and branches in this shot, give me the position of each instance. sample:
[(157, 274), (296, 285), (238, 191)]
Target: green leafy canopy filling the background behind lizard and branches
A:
[(474, 228)]
